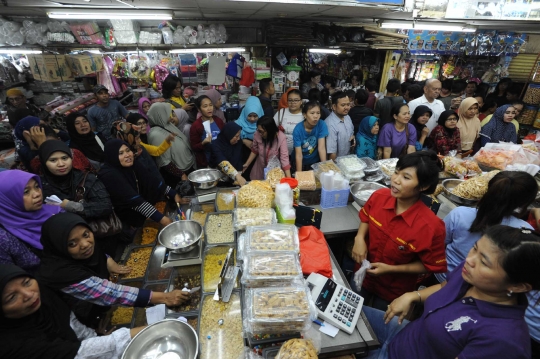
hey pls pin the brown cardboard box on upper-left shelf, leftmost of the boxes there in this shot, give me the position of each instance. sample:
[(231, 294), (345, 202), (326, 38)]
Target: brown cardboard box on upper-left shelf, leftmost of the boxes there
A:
[(49, 68)]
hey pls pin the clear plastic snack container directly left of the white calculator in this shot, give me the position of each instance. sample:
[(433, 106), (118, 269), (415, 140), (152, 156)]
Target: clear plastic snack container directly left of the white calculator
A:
[(277, 310)]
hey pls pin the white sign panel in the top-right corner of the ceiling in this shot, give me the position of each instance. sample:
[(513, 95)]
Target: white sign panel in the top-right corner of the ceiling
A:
[(494, 9)]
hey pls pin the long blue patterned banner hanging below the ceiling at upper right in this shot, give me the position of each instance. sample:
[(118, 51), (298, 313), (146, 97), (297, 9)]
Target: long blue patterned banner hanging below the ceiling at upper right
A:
[(483, 42)]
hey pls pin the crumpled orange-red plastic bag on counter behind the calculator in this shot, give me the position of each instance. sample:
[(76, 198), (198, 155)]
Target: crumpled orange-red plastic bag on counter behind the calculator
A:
[(314, 255)]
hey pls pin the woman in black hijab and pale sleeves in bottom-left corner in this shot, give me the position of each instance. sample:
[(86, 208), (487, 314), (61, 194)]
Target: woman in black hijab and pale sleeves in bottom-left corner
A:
[(43, 326)]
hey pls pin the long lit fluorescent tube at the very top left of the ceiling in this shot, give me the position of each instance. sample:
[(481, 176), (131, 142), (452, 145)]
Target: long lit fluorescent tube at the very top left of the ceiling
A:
[(111, 14)]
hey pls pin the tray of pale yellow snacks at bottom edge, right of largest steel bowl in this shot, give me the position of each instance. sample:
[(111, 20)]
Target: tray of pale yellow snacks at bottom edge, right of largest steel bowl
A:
[(220, 328)]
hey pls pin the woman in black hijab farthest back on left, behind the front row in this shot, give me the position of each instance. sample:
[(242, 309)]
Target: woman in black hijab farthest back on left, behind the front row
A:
[(85, 140)]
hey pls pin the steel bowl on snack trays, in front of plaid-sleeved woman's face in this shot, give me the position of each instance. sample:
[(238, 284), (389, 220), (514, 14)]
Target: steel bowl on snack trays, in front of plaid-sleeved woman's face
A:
[(180, 236)]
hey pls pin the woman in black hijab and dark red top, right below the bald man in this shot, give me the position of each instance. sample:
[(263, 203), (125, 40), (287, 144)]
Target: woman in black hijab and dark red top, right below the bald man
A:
[(445, 137)]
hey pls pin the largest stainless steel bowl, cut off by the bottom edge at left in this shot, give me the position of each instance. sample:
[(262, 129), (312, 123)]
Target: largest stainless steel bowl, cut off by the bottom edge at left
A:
[(166, 339)]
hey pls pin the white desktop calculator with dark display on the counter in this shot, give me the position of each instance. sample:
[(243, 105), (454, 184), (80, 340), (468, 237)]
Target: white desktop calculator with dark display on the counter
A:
[(335, 303)]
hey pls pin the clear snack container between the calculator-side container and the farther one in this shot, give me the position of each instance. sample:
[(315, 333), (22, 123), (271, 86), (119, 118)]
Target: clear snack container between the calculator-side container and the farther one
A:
[(262, 269)]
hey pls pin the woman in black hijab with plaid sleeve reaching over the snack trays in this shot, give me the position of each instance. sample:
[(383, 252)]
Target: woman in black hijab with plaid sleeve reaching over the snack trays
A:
[(74, 265)]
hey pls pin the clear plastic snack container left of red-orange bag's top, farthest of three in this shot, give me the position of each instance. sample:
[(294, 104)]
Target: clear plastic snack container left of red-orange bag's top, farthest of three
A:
[(277, 237)]
